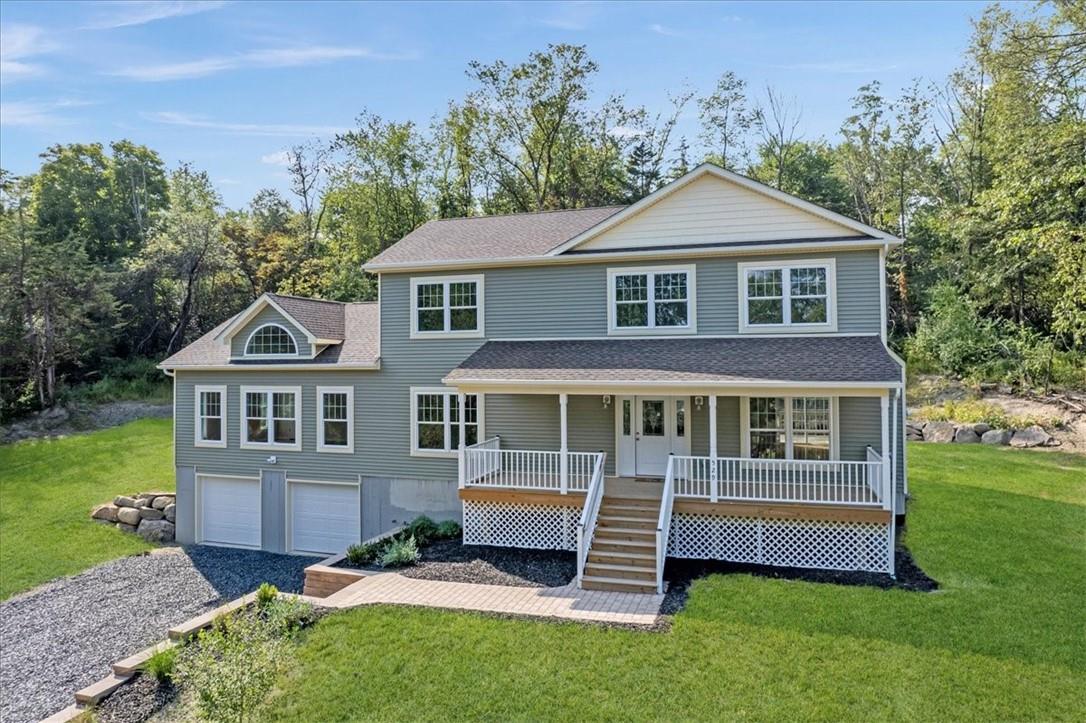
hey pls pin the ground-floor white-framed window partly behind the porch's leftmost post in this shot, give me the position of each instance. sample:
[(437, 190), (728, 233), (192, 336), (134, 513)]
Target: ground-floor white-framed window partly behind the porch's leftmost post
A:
[(436, 422)]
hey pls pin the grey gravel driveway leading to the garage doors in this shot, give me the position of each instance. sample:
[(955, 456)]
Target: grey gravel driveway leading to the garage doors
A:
[(65, 636)]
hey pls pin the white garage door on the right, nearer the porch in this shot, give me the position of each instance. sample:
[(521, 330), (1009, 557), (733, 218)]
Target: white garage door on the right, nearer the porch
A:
[(324, 518)]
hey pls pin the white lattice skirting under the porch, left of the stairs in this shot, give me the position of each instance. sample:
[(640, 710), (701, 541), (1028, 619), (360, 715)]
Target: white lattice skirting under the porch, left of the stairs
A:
[(510, 525)]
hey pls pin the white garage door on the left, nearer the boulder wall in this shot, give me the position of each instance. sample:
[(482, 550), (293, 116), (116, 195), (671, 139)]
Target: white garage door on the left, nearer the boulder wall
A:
[(230, 512)]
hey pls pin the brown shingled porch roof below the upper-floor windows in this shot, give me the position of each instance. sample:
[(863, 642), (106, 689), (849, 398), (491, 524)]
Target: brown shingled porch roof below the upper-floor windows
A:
[(712, 362)]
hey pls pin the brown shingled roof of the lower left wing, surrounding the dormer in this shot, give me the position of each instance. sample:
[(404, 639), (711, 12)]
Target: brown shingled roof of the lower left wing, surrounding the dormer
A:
[(360, 349)]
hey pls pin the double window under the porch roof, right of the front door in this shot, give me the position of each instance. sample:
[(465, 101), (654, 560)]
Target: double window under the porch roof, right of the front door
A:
[(789, 428)]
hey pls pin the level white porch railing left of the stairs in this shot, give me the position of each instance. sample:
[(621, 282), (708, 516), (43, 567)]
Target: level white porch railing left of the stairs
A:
[(487, 465)]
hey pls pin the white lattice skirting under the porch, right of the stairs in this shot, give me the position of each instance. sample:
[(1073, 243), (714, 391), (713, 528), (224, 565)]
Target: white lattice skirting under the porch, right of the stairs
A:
[(788, 543)]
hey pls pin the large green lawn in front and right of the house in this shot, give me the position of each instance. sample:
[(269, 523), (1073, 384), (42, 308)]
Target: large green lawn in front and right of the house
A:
[(1004, 531)]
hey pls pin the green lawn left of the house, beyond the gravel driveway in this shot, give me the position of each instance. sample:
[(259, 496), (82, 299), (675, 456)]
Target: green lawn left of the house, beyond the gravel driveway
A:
[(49, 487)]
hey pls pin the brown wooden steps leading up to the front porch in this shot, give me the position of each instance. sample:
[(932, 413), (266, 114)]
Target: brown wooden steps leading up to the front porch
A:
[(623, 555)]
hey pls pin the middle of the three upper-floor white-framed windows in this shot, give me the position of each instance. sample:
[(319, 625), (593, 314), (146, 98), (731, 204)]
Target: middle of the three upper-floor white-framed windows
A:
[(652, 301)]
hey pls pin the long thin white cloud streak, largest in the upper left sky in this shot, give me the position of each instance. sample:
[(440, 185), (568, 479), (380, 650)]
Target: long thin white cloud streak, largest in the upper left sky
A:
[(256, 59)]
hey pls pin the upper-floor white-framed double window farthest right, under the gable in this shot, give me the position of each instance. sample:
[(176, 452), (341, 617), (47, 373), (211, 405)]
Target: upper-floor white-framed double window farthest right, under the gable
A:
[(798, 297)]
